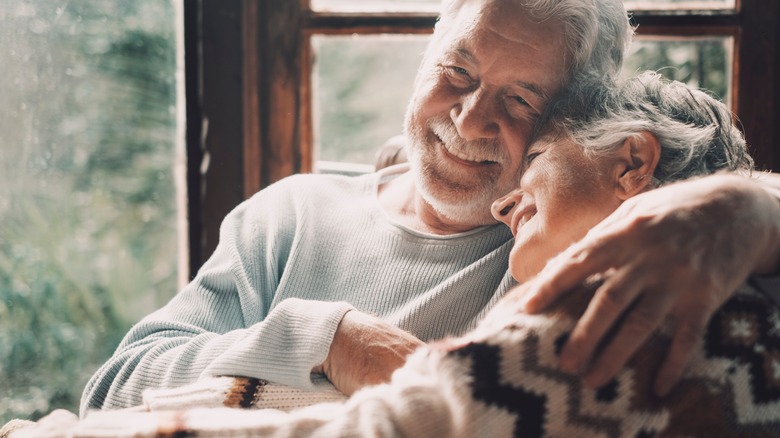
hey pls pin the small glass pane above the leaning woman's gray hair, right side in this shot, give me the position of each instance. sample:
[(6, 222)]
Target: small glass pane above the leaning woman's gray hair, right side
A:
[(699, 62)]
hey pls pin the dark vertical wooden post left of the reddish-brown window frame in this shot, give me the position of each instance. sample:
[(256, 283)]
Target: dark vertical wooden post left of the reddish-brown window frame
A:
[(213, 63)]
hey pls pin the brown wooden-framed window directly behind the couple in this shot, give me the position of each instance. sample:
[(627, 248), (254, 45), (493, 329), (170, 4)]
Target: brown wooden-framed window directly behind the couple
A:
[(296, 59)]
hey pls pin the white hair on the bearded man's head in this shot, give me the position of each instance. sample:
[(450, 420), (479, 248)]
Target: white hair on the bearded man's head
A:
[(596, 32)]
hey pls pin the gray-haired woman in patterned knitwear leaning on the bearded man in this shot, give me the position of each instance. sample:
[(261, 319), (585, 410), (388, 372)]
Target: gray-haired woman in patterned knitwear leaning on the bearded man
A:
[(503, 379)]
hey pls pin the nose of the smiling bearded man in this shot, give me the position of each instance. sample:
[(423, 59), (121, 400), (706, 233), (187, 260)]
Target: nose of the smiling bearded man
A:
[(475, 116)]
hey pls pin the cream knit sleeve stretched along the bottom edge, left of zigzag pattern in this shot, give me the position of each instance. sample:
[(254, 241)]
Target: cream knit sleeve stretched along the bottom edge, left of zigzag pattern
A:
[(428, 397)]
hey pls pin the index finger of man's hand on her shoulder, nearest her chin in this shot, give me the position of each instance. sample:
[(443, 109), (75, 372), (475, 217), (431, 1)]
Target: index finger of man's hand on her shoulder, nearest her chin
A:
[(567, 270)]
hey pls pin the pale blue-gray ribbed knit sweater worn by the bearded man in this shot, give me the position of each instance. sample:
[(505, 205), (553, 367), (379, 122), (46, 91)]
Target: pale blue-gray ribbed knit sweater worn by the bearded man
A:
[(290, 262)]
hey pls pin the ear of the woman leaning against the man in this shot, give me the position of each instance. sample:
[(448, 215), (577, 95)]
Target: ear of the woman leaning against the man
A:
[(638, 157)]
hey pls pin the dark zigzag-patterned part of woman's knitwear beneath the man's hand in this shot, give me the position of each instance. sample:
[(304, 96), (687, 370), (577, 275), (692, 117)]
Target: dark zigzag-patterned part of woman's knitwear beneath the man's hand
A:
[(731, 388)]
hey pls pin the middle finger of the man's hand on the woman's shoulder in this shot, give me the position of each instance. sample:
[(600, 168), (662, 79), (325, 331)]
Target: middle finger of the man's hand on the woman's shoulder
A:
[(609, 302)]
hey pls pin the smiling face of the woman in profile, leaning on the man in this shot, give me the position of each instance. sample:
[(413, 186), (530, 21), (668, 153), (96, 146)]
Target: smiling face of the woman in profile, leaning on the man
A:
[(563, 193)]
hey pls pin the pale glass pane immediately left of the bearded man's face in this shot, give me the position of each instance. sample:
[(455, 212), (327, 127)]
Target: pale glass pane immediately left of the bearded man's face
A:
[(363, 86)]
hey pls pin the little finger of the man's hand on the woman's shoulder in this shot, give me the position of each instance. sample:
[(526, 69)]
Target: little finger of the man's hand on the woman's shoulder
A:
[(686, 338)]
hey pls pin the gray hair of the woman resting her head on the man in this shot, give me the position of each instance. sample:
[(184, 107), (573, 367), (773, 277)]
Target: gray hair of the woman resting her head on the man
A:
[(697, 133)]
